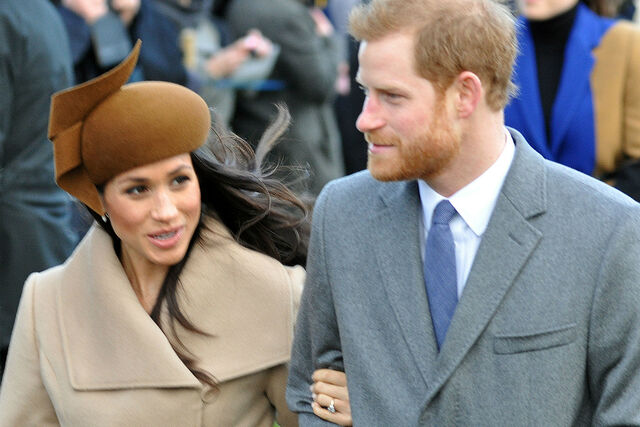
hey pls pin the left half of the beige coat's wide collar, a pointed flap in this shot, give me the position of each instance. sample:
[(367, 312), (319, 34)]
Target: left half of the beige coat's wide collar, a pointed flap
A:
[(109, 340)]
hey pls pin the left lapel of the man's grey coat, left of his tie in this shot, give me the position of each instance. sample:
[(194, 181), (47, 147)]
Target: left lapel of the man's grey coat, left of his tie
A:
[(397, 243)]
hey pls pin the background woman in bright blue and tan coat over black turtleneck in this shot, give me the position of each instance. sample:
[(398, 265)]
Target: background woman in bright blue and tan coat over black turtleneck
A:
[(579, 94)]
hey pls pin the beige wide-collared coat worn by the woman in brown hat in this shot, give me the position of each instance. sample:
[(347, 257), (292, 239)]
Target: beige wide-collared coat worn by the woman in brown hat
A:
[(84, 351)]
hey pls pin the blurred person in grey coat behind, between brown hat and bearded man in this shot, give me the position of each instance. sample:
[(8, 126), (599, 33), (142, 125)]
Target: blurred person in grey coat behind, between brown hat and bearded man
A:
[(303, 78)]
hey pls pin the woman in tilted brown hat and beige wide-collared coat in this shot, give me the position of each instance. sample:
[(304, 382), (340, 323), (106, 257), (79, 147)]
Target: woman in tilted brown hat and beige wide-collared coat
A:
[(159, 317)]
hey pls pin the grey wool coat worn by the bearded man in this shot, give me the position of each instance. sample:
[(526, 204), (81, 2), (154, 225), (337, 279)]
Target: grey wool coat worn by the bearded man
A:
[(546, 332)]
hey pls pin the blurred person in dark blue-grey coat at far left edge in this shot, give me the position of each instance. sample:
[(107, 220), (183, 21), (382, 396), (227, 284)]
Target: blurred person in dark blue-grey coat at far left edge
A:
[(35, 227)]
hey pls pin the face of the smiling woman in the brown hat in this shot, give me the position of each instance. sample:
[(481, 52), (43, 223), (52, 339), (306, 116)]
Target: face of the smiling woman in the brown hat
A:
[(154, 210)]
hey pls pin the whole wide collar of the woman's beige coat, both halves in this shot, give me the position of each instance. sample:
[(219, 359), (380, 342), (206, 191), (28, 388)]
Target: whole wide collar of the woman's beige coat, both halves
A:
[(243, 299)]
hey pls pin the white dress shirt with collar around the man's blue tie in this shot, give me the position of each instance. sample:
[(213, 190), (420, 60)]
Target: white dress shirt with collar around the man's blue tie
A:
[(474, 204)]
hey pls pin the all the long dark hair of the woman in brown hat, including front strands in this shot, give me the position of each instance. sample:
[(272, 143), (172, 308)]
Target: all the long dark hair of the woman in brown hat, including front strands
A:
[(258, 208)]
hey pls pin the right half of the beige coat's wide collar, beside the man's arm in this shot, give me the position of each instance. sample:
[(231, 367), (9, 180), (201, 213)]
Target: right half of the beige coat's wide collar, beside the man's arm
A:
[(243, 299)]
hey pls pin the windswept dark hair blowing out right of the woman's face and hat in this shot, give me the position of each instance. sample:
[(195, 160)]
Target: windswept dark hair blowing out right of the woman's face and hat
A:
[(250, 198)]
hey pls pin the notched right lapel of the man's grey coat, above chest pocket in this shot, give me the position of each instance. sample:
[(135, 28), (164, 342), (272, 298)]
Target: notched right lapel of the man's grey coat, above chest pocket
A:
[(506, 246)]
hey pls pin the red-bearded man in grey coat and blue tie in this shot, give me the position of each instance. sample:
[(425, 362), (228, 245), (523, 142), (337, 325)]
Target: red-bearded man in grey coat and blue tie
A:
[(527, 310)]
